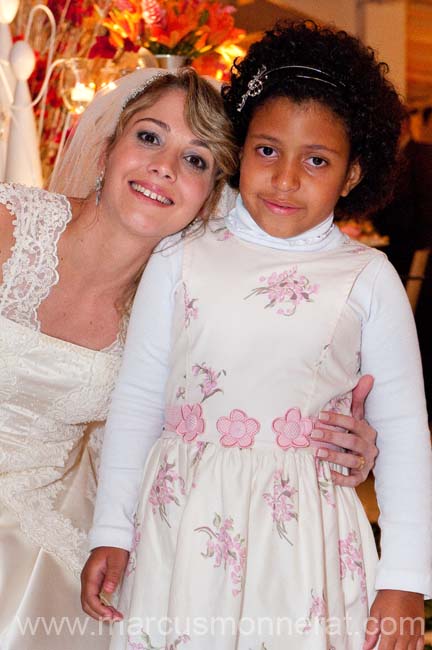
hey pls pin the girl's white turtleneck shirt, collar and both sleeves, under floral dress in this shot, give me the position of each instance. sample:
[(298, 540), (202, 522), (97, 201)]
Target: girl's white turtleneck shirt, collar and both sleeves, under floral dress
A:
[(396, 406)]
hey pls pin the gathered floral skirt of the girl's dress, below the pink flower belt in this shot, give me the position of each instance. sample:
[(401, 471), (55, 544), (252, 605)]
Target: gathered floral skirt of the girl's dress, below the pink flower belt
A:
[(245, 549)]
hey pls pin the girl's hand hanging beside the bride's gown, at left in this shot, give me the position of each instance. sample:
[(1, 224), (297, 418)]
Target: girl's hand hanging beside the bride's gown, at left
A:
[(102, 572)]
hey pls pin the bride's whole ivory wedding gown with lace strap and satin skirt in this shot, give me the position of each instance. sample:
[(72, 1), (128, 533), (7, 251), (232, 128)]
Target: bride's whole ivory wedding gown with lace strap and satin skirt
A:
[(49, 391)]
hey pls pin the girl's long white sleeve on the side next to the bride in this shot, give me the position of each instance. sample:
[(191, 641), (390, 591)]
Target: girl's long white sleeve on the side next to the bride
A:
[(137, 409)]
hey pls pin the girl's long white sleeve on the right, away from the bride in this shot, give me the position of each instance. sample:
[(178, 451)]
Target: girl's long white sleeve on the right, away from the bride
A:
[(396, 409)]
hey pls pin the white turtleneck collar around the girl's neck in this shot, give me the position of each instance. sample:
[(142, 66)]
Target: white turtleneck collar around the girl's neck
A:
[(241, 224)]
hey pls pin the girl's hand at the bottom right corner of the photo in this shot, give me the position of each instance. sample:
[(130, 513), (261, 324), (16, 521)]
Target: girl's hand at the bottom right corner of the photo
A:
[(398, 616)]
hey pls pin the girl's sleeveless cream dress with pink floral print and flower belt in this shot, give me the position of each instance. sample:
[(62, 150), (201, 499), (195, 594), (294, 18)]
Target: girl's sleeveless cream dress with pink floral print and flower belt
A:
[(242, 541)]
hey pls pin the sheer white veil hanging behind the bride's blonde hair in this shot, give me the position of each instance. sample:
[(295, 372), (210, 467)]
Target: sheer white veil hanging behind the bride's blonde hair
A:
[(75, 175)]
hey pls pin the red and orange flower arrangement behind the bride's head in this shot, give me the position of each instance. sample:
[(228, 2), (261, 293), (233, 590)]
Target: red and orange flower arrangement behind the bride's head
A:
[(111, 32)]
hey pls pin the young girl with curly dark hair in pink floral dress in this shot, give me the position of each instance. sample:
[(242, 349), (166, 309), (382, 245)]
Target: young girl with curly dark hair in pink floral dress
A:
[(239, 339)]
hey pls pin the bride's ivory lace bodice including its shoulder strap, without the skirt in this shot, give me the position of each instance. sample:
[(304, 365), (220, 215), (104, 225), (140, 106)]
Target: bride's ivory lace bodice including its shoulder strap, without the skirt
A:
[(49, 389)]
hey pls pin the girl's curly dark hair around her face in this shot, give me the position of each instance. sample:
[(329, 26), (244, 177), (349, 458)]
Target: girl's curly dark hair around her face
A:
[(362, 97)]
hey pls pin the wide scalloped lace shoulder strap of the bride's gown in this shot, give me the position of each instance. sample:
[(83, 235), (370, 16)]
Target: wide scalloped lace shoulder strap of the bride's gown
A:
[(40, 218)]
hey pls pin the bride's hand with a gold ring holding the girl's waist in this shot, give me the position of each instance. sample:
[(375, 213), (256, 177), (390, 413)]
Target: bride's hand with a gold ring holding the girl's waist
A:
[(359, 441)]
